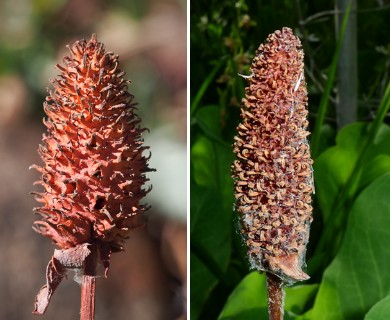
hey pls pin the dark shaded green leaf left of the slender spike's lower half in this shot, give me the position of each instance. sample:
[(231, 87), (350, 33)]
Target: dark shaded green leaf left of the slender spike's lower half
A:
[(209, 262)]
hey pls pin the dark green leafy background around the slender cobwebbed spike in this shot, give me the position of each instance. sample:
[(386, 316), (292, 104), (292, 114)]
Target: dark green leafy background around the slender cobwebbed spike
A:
[(349, 99)]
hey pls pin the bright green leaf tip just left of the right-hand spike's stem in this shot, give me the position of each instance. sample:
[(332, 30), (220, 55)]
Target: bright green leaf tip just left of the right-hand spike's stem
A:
[(248, 300)]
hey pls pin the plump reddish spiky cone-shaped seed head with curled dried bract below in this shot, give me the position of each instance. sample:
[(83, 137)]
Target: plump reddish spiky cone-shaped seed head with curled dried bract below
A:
[(94, 167)]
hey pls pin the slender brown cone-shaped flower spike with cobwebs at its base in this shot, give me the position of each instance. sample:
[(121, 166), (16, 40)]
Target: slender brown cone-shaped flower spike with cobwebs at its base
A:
[(273, 170)]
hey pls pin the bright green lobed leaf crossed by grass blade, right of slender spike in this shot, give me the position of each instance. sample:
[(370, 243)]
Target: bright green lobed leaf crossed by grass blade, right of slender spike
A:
[(334, 167)]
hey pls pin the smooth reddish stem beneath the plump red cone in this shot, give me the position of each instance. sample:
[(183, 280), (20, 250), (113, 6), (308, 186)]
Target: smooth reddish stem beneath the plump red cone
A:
[(88, 286)]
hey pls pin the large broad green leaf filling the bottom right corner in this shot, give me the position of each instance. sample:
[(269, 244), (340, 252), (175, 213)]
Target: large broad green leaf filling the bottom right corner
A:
[(359, 275)]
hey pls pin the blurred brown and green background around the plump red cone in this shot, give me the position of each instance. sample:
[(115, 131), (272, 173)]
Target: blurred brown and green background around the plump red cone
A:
[(148, 280)]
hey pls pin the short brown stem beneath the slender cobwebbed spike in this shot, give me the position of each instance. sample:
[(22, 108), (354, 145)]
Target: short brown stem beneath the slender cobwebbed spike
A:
[(275, 297)]
